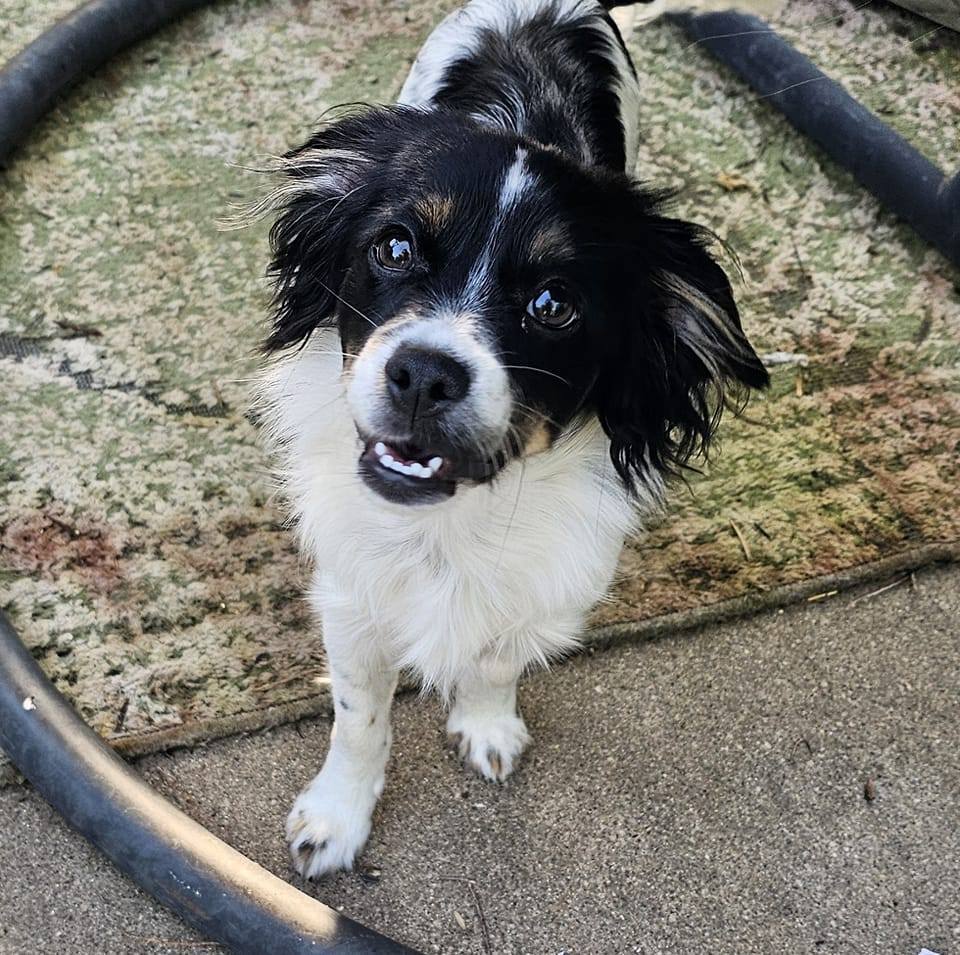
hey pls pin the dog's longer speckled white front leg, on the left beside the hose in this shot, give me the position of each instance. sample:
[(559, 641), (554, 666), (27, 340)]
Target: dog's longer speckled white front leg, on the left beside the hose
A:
[(330, 820)]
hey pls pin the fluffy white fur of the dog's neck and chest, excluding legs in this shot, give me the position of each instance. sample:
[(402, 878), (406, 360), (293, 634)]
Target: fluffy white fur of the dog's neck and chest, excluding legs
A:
[(510, 567)]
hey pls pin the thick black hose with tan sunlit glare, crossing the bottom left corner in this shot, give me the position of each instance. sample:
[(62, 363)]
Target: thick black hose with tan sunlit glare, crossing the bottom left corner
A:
[(222, 893)]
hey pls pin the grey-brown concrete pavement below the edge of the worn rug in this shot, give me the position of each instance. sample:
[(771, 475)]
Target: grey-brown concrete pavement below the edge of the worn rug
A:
[(704, 793)]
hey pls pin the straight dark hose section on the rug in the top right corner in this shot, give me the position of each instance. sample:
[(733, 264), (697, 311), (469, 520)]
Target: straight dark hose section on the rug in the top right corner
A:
[(904, 180)]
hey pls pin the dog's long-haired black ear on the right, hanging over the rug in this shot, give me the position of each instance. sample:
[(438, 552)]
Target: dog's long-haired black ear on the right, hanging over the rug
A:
[(680, 355)]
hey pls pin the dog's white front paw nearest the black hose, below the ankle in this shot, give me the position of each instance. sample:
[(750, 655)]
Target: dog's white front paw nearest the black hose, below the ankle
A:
[(328, 825)]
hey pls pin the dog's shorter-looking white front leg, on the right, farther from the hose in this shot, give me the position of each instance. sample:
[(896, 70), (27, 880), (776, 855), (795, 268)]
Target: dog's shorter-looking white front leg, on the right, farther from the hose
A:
[(484, 723)]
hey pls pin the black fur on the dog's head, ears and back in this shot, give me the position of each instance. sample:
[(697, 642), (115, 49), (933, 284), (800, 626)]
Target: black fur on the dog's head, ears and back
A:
[(660, 348)]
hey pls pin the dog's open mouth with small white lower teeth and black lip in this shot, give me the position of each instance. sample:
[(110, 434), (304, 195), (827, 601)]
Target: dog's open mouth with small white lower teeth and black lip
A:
[(407, 474)]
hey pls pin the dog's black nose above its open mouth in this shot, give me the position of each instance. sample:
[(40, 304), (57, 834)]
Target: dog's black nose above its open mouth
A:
[(423, 382)]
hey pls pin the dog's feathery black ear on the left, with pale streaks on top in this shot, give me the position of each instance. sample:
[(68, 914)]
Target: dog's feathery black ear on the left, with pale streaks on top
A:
[(327, 183)]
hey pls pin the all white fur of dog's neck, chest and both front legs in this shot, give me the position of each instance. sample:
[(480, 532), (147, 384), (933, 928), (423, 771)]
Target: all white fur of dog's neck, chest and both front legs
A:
[(467, 593)]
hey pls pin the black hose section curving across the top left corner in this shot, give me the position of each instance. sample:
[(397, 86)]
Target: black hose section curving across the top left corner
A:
[(71, 49)]
